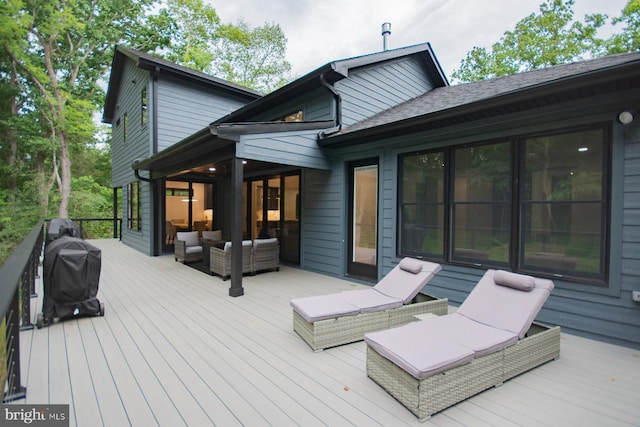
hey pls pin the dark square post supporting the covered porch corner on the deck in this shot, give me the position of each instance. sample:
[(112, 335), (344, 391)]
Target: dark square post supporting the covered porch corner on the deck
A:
[(236, 289)]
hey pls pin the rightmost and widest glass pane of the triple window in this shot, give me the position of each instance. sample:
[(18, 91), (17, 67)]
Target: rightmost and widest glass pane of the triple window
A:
[(563, 227)]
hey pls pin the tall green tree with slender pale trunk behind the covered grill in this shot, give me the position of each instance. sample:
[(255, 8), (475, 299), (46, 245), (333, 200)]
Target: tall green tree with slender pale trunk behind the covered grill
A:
[(61, 49)]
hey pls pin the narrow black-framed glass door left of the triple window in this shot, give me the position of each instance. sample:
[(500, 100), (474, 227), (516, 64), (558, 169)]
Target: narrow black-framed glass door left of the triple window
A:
[(363, 219)]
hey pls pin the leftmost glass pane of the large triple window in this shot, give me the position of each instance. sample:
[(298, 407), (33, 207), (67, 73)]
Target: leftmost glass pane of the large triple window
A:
[(422, 200)]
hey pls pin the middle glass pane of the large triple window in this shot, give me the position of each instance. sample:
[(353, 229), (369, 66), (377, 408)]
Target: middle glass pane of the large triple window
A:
[(482, 204)]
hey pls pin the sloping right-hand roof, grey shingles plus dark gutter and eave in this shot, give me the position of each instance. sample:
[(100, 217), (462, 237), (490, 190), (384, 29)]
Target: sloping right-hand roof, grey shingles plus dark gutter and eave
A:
[(450, 105)]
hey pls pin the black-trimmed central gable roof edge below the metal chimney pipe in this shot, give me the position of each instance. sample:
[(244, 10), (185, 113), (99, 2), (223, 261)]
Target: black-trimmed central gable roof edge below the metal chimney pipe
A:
[(335, 71)]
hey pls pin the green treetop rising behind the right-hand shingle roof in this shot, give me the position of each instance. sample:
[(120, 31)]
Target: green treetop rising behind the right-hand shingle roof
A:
[(549, 38)]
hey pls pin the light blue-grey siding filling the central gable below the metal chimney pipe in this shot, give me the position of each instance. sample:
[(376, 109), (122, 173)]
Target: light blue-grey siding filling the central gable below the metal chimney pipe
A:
[(370, 90)]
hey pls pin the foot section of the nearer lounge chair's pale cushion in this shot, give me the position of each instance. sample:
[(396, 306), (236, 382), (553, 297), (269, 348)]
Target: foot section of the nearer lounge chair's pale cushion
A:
[(410, 348)]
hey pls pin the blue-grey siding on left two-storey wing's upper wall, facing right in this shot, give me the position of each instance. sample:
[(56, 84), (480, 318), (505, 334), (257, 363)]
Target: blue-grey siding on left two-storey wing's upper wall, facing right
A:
[(184, 109)]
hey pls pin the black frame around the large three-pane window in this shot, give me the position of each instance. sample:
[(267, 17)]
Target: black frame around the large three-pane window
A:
[(517, 228)]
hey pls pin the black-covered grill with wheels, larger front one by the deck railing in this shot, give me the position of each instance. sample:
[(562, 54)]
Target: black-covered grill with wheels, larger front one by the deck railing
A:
[(71, 277)]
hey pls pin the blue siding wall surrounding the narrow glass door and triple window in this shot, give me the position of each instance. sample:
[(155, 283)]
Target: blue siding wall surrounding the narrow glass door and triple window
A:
[(602, 312)]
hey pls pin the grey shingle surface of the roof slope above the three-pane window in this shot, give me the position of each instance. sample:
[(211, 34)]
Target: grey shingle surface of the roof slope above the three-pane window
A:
[(449, 98)]
